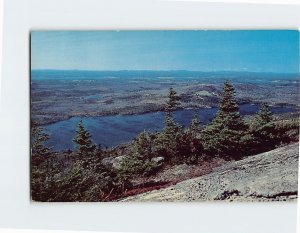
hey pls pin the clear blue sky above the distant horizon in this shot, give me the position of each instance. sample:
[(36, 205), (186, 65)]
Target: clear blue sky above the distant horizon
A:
[(257, 51)]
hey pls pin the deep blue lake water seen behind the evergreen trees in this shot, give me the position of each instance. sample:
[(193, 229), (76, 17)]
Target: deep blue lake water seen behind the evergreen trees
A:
[(110, 131)]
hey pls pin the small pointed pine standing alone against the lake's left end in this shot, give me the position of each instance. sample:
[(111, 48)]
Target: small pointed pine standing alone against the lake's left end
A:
[(84, 141)]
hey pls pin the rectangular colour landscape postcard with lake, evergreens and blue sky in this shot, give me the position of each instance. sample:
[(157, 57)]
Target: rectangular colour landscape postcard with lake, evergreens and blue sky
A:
[(164, 115)]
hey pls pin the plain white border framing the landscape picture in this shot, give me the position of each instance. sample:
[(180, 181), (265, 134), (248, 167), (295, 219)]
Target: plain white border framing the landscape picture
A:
[(16, 211)]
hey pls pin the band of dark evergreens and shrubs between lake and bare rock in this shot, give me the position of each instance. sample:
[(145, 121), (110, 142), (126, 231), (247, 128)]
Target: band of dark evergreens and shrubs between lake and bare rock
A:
[(85, 175)]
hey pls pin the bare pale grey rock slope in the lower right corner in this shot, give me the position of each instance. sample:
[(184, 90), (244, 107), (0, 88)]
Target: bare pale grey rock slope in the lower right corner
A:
[(270, 176)]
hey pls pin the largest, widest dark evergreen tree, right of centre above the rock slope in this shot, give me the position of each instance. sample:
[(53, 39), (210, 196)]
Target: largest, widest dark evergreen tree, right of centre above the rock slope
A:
[(226, 135)]
